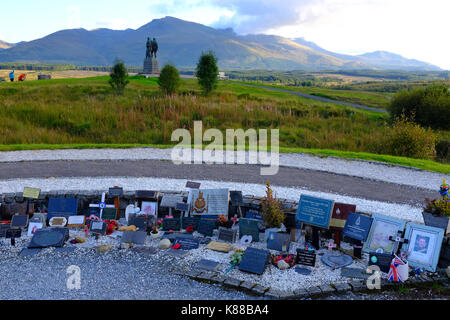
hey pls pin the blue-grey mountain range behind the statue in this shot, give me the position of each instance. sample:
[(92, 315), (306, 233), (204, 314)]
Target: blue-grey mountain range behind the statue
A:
[(182, 42)]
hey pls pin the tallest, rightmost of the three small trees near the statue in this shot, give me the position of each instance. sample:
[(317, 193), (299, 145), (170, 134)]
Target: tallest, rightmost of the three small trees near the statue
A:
[(207, 72)]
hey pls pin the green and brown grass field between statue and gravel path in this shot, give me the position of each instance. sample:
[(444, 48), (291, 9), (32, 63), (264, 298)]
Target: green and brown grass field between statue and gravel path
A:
[(86, 113)]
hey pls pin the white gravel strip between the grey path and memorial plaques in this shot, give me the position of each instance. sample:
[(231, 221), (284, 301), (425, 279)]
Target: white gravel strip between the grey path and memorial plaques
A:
[(131, 184)]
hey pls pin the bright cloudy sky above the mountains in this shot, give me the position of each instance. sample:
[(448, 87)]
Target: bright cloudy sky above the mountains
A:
[(416, 29)]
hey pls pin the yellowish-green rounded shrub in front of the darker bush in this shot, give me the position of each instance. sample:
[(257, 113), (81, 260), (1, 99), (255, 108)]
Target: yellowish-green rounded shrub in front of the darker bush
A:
[(408, 139)]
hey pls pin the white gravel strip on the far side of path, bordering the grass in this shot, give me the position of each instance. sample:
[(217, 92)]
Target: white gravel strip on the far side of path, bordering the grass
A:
[(357, 168)]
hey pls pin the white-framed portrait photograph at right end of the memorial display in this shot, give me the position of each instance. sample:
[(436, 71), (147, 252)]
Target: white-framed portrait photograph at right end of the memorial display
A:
[(424, 246)]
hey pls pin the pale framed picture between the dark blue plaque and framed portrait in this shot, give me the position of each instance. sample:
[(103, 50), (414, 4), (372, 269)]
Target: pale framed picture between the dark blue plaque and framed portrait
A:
[(382, 228)]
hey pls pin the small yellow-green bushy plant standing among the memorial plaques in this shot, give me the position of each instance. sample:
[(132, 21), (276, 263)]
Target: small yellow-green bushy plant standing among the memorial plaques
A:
[(272, 212)]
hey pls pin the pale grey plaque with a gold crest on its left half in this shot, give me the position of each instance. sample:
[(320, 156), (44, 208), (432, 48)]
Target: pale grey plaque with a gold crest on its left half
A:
[(209, 202)]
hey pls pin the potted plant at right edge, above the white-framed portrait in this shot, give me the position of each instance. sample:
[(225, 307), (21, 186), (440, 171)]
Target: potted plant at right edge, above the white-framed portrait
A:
[(437, 212)]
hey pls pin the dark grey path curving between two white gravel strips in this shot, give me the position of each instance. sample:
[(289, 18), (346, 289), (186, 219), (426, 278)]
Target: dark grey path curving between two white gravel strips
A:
[(286, 177)]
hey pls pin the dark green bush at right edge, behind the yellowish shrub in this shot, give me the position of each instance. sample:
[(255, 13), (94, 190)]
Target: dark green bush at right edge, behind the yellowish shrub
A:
[(429, 106)]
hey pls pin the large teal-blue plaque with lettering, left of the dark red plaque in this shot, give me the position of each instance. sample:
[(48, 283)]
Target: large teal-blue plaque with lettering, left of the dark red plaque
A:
[(314, 211)]
